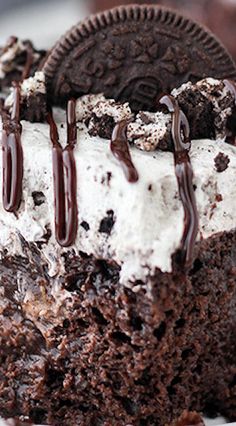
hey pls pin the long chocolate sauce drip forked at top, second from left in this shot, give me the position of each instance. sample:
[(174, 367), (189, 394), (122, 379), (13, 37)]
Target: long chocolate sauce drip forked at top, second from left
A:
[(64, 178)]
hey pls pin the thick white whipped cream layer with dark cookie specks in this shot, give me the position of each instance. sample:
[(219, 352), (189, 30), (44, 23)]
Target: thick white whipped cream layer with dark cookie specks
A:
[(147, 216)]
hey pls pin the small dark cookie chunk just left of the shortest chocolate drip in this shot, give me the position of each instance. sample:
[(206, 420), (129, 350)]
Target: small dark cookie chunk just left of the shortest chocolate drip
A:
[(101, 126)]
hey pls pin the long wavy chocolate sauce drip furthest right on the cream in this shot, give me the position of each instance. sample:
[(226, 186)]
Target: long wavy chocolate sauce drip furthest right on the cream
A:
[(184, 173)]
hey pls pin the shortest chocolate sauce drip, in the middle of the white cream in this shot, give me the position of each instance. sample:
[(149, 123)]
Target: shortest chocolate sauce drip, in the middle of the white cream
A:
[(120, 150)]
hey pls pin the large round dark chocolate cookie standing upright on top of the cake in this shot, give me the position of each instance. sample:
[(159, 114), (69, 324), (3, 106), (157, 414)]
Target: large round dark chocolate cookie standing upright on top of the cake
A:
[(133, 54)]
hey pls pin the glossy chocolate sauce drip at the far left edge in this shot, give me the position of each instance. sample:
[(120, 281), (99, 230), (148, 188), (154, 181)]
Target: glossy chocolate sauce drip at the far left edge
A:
[(12, 155)]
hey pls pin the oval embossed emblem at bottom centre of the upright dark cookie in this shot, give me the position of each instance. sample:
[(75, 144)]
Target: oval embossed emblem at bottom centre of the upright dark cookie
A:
[(141, 93)]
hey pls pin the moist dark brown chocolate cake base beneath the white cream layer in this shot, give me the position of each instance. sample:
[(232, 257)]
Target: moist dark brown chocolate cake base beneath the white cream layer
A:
[(107, 356)]
